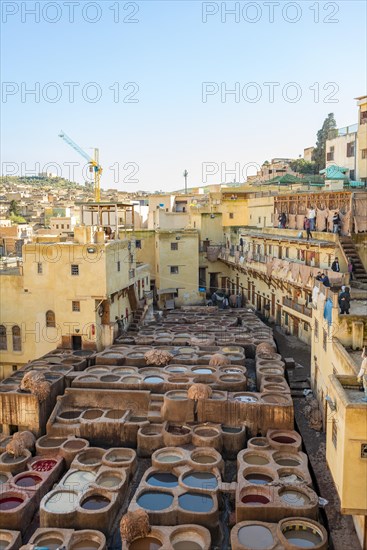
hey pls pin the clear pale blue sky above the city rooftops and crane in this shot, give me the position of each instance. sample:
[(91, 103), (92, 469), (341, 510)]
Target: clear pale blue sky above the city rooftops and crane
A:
[(168, 54)]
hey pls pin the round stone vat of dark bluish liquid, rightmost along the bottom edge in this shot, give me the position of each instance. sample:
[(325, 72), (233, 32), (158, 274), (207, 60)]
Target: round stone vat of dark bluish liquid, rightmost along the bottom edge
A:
[(302, 533)]
